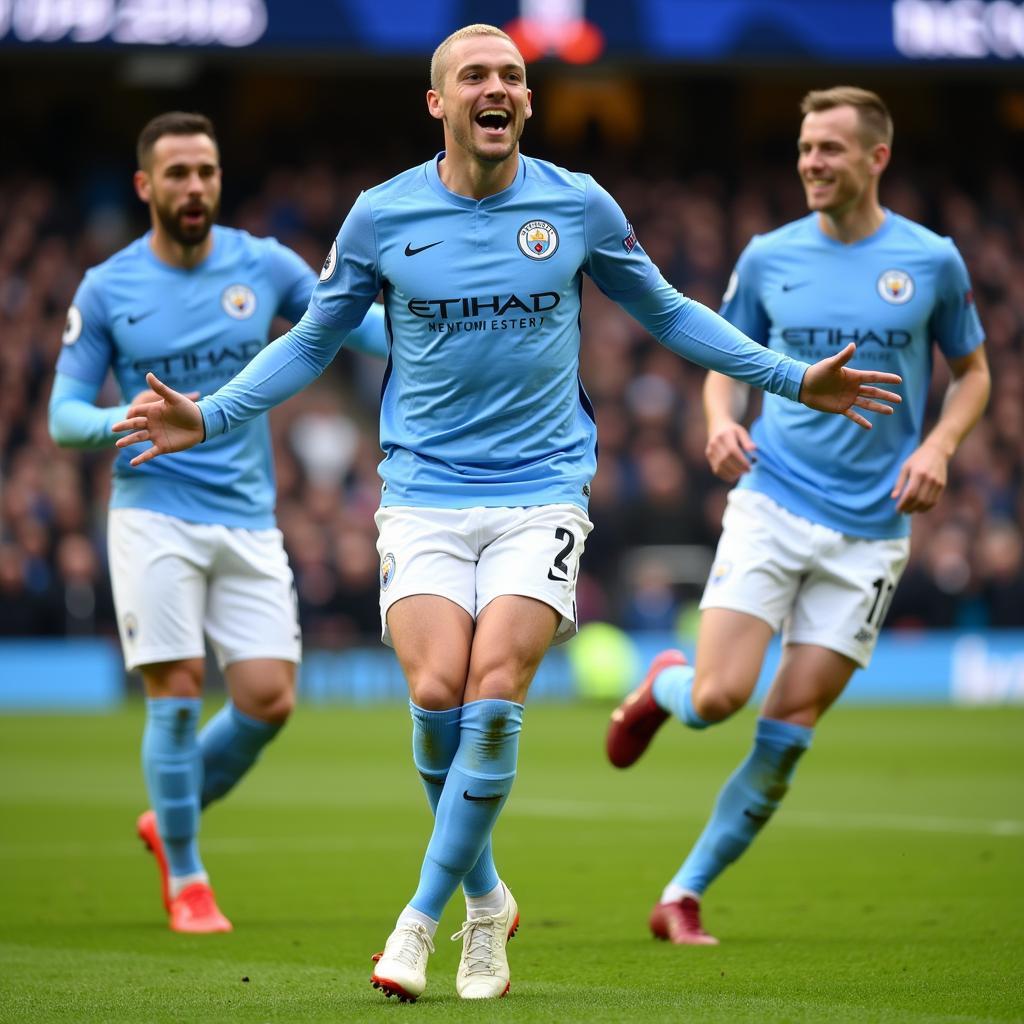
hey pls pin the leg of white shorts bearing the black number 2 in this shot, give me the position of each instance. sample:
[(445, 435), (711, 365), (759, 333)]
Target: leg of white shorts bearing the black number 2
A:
[(534, 553)]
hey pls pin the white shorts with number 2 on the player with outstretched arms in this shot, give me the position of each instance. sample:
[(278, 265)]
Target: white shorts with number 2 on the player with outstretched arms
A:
[(472, 557)]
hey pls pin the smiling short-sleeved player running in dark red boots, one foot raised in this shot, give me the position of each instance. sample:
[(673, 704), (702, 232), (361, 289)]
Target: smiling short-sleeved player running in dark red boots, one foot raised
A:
[(816, 535)]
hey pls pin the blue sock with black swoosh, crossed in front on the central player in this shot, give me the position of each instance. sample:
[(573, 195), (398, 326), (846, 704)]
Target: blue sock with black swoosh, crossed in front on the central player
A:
[(478, 786)]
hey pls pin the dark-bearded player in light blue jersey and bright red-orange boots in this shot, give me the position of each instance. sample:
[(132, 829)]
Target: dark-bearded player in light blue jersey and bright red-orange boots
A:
[(193, 545)]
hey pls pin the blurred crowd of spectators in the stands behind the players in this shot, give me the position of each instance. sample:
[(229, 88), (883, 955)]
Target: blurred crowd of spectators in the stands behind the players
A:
[(657, 506)]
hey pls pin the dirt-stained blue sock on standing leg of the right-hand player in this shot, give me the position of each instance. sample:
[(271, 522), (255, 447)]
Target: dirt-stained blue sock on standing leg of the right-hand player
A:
[(746, 803)]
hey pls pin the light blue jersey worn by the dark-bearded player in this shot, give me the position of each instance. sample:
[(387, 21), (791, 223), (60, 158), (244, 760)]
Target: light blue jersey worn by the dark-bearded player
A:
[(195, 329)]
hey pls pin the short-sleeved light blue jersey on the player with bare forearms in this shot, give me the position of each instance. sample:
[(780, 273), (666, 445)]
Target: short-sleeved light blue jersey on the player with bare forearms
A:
[(800, 292)]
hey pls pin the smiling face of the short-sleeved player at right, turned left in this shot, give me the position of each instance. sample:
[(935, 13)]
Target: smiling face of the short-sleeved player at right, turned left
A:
[(835, 165)]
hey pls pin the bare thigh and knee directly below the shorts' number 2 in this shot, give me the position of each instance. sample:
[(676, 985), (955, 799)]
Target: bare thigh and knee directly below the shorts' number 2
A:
[(513, 636)]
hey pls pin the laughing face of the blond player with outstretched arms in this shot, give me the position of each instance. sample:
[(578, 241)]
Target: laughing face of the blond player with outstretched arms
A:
[(484, 102)]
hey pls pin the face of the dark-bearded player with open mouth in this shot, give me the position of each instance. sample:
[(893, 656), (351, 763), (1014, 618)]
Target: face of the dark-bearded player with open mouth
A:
[(184, 187)]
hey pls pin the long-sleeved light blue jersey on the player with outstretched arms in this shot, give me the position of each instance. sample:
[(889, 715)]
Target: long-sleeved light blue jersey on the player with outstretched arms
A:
[(482, 404)]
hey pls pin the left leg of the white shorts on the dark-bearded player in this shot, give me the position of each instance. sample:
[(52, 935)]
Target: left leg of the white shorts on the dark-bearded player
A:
[(159, 569)]
